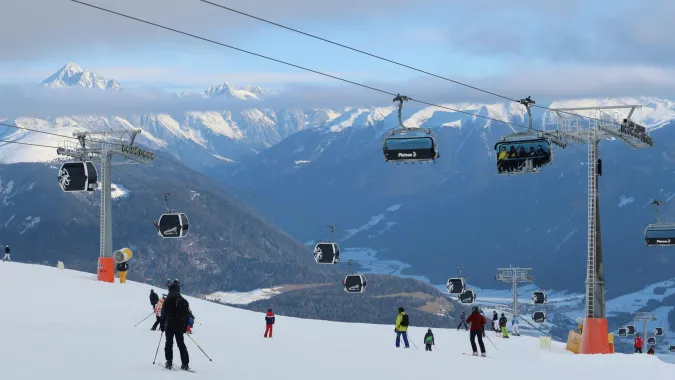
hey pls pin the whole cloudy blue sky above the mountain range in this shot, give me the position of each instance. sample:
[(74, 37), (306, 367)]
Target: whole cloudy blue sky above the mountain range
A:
[(552, 49)]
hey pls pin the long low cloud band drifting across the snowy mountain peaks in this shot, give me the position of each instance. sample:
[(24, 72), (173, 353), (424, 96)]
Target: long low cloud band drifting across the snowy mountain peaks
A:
[(570, 82)]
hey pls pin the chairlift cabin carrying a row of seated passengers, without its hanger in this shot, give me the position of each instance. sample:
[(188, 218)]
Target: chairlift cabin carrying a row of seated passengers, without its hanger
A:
[(515, 156)]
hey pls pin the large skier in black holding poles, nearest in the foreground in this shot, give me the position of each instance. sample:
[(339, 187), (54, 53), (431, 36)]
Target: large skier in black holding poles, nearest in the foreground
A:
[(174, 319)]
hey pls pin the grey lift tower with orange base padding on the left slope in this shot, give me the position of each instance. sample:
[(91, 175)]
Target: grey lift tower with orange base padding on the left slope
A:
[(102, 147)]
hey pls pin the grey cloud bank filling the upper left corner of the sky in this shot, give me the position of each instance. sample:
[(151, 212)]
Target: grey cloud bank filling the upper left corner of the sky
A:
[(61, 29)]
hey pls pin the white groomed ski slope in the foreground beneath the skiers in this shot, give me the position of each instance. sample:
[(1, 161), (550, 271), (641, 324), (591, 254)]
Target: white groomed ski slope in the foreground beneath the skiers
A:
[(66, 325)]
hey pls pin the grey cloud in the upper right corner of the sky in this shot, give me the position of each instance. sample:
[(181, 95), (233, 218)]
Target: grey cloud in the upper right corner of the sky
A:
[(601, 32)]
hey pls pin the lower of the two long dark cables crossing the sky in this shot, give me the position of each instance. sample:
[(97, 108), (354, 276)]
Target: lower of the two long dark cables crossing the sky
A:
[(292, 64)]
